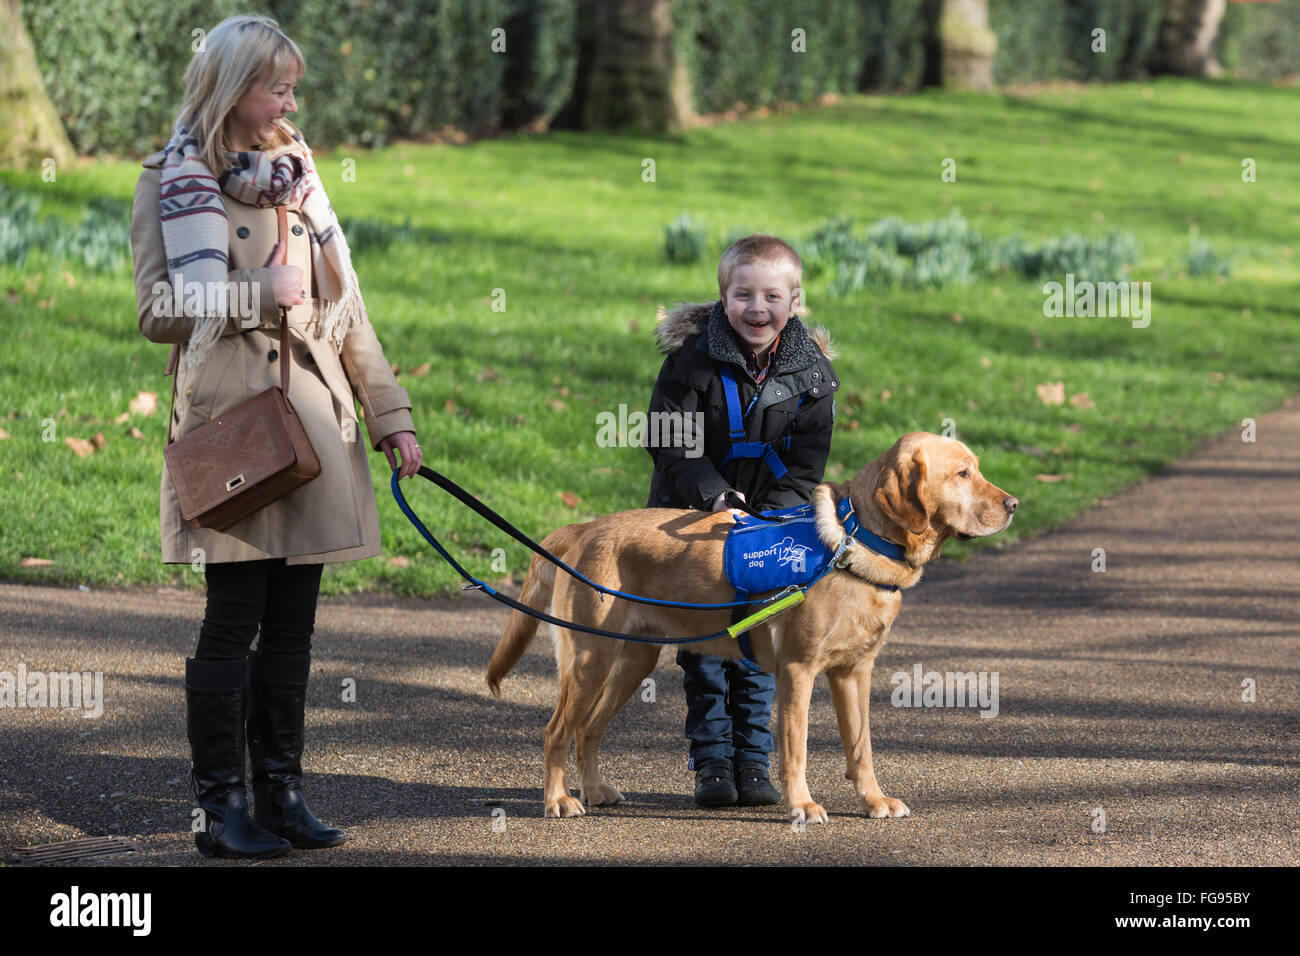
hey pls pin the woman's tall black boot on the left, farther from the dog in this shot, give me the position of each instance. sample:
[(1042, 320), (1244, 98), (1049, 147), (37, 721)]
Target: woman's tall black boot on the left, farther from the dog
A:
[(216, 704)]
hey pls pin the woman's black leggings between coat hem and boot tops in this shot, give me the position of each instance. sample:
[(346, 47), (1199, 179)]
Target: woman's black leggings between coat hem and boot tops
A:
[(246, 594)]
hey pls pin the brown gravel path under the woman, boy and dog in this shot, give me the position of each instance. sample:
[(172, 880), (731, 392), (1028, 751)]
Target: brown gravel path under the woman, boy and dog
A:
[(1120, 703)]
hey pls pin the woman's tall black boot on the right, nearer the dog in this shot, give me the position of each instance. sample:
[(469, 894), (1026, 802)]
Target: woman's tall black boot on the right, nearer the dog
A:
[(276, 706)]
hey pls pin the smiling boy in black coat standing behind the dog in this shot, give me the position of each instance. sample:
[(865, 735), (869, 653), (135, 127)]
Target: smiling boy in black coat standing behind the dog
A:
[(765, 386)]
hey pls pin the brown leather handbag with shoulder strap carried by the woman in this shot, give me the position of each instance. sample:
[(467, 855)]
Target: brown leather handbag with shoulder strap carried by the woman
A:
[(248, 456)]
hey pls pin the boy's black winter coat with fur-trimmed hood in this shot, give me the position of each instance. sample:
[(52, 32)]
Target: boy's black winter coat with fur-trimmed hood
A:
[(795, 400)]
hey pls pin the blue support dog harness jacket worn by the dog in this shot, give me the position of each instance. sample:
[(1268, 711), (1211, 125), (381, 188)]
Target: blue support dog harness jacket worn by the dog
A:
[(787, 553)]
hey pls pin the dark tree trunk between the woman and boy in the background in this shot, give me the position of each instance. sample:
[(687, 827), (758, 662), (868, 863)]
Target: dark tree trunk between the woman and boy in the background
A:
[(629, 75)]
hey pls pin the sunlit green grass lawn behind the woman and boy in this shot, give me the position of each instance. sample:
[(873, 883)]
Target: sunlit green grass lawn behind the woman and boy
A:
[(569, 230)]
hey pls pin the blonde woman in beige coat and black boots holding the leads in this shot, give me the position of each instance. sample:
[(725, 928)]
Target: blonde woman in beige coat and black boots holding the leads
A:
[(205, 226)]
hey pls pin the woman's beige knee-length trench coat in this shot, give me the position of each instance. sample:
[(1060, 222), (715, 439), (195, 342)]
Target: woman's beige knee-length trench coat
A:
[(333, 517)]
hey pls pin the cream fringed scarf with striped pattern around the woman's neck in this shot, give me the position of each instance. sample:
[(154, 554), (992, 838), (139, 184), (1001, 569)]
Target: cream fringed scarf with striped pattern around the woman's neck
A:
[(197, 237)]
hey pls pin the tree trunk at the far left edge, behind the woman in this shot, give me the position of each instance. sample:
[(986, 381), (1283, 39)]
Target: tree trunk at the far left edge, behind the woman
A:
[(31, 129)]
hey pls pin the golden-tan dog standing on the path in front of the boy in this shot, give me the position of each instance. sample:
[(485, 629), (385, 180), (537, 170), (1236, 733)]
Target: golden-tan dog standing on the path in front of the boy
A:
[(920, 494)]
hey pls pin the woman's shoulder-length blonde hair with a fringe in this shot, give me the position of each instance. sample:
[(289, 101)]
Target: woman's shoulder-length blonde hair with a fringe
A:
[(240, 51)]
